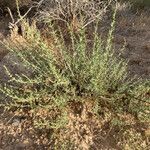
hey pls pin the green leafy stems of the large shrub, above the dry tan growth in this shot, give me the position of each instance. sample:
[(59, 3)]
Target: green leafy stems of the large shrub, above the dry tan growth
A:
[(75, 73)]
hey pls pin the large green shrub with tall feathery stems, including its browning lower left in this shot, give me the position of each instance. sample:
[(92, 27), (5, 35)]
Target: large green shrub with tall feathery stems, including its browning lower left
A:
[(65, 75)]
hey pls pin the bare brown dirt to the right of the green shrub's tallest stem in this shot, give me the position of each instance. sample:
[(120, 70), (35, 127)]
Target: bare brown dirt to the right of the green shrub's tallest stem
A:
[(136, 33)]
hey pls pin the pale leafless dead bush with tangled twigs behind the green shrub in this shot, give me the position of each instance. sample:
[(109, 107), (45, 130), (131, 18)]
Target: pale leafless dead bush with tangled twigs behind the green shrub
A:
[(77, 13)]
